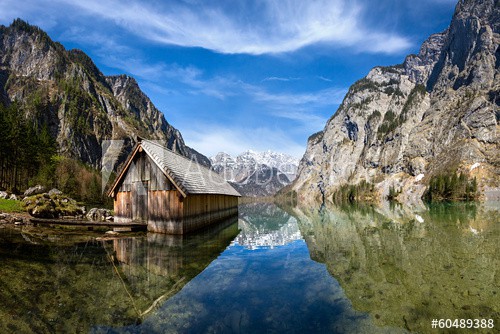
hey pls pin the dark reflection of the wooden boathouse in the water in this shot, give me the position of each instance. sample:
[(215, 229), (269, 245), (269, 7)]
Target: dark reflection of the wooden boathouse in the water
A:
[(158, 266)]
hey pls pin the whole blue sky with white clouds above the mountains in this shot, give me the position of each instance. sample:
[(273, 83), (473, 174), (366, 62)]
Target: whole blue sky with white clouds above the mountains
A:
[(238, 75)]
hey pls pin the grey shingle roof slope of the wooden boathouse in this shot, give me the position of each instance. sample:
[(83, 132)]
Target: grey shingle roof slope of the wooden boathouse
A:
[(187, 174)]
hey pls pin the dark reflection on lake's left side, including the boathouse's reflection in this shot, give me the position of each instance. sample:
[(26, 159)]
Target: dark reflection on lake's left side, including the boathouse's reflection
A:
[(64, 283)]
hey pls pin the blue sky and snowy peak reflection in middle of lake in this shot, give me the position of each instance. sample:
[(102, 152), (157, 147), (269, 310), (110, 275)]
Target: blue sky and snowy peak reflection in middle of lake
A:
[(265, 282)]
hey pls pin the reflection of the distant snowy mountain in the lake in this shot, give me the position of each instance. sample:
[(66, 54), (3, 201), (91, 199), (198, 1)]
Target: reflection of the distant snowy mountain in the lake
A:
[(264, 225)]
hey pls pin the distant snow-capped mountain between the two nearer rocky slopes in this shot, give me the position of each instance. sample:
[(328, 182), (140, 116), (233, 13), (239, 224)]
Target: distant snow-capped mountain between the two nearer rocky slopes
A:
[(256, 173)]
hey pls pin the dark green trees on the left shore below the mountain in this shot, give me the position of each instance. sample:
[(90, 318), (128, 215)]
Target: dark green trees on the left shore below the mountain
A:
[(28, 156)]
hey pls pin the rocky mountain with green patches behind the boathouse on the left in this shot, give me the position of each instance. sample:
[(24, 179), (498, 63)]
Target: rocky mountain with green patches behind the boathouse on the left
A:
[(65, 91)]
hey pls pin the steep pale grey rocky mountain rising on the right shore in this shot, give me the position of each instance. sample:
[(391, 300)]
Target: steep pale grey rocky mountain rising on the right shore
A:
[(437, 112)]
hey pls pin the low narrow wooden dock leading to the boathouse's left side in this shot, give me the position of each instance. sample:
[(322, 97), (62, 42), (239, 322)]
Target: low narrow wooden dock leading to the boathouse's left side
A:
[(117, 227)]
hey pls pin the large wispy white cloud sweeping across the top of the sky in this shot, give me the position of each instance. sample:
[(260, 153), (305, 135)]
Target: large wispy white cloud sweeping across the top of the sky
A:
[(248, 27)]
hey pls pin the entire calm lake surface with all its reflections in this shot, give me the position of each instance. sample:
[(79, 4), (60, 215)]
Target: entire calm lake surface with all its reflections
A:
[(270, 270)]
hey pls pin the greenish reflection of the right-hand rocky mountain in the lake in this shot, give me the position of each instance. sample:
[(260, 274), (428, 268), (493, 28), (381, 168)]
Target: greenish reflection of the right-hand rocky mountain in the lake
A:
[(405, 266)]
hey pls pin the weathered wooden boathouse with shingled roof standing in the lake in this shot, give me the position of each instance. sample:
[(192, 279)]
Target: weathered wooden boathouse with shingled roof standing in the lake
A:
[(170, 192)]
